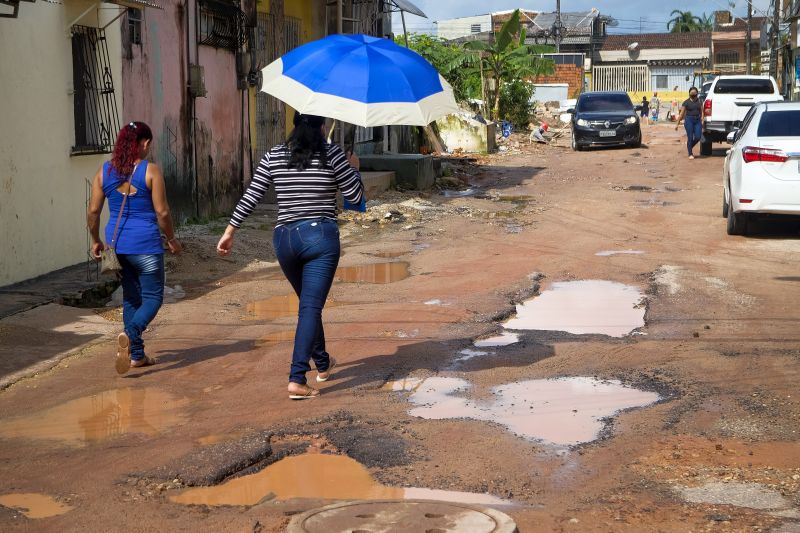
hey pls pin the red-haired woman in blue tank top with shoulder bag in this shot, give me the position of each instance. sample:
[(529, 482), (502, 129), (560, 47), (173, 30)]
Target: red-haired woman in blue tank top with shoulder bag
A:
[(134, 231)]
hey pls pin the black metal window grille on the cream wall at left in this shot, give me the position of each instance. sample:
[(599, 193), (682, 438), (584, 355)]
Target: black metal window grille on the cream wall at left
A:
[(95, 101)]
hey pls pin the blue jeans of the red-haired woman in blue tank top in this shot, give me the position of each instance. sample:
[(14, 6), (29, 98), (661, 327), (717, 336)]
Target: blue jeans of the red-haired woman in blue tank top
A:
[(142, 295)]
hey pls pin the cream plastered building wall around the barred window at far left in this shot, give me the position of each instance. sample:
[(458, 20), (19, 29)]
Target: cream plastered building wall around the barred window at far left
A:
[(43, 191)]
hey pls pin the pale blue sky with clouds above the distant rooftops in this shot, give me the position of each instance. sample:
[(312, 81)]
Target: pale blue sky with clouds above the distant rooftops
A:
[(634, 16)]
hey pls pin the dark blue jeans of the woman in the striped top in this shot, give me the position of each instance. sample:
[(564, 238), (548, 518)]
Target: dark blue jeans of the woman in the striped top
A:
[(308, 252)]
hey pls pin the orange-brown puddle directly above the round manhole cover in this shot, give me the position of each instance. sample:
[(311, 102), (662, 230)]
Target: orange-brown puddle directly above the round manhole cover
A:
[(316, 476)]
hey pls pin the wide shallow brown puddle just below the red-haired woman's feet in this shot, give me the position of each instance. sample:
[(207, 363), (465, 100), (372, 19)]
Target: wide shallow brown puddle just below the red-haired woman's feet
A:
[(100, 417)]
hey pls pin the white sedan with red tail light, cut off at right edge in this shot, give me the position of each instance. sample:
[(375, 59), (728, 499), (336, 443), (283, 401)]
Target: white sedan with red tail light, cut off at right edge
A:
[(762, 169)]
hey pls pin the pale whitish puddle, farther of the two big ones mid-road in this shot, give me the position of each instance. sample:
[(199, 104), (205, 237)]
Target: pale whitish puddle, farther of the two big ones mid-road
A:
[(582, 307)]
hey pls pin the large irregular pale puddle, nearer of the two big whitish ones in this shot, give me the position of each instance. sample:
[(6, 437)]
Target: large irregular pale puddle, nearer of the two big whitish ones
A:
[(562, 412)]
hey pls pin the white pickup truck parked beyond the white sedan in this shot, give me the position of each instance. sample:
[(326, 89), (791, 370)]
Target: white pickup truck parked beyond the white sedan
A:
[(728, 101)]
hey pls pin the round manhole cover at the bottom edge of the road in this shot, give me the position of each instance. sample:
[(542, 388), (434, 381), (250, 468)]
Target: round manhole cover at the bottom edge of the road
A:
[(407, 516)]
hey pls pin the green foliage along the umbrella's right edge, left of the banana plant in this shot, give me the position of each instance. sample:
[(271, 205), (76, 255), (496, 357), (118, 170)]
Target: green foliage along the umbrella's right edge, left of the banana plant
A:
[(450, 60)]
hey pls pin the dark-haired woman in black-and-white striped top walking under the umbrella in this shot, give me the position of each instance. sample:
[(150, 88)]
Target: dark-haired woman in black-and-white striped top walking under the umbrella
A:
[(306, 172)]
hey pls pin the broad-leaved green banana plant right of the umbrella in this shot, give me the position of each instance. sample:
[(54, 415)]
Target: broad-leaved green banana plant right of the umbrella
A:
[(507, 59)]
